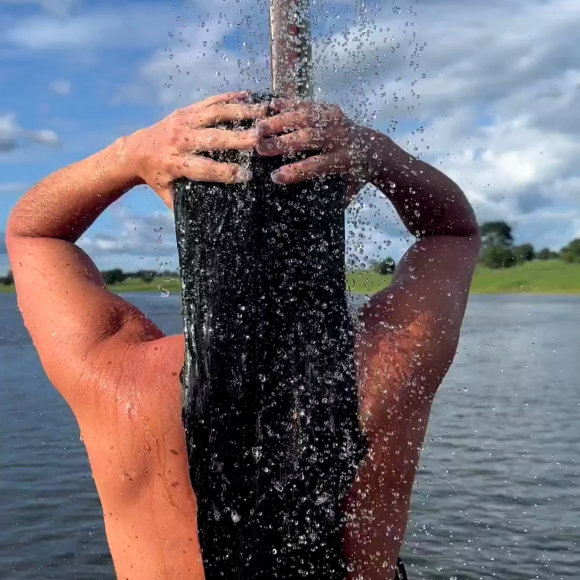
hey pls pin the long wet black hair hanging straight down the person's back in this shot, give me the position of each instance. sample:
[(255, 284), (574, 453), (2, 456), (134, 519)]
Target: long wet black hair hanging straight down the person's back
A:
[(269, 385)]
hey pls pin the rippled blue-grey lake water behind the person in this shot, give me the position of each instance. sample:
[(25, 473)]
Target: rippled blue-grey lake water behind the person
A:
[(498, 490)]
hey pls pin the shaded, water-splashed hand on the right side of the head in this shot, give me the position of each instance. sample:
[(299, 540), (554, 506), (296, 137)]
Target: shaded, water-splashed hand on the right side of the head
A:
[(305, 126)]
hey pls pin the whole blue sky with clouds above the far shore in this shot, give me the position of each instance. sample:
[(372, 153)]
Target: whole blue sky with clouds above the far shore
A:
[(494, 104)]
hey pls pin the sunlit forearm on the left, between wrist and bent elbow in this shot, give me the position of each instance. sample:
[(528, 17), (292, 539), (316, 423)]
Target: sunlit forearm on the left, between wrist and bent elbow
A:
[(65, 204)]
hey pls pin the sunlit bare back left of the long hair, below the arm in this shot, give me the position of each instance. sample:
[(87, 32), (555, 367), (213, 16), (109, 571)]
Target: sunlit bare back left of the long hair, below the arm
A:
[(135, 441)]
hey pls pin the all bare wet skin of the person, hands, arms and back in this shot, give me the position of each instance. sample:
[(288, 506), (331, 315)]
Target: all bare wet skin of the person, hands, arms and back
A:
[(120, 374)]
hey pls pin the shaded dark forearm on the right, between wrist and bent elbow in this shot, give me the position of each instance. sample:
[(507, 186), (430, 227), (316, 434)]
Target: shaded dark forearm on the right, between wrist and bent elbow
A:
[(427, 201)]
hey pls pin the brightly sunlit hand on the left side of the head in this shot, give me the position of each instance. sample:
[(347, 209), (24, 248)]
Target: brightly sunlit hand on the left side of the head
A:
[(166, 151)]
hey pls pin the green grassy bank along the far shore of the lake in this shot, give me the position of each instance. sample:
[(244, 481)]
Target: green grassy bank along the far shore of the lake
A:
[(549, 277)]
